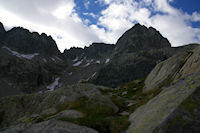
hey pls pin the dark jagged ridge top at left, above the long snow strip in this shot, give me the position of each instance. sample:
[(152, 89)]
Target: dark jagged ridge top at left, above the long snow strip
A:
[(23, 41)]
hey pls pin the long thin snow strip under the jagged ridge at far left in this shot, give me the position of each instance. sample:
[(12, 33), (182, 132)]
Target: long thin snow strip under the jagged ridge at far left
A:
[(26, 56)]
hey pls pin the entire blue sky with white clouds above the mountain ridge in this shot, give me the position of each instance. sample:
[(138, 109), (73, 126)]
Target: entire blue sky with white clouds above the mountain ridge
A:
[(81, 22)]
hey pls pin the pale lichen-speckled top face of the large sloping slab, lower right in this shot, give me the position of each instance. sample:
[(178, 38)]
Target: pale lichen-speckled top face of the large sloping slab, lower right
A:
[(157, 111)]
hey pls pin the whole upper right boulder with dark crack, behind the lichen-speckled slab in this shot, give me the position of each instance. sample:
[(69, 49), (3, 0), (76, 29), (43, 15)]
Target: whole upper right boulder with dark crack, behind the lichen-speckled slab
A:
[(178, 66)]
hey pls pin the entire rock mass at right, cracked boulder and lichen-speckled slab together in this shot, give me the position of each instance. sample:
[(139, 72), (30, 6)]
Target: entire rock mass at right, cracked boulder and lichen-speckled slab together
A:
[(175, 109)]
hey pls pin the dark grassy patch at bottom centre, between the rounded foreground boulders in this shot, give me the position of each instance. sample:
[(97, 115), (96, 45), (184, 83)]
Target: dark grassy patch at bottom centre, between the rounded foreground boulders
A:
[(98, 115)]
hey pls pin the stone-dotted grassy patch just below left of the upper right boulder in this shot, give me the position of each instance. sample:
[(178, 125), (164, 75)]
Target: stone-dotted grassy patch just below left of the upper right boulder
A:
[(134, 92)]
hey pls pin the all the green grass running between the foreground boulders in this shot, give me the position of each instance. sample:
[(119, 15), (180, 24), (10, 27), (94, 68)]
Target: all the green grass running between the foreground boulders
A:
[(103, 118)]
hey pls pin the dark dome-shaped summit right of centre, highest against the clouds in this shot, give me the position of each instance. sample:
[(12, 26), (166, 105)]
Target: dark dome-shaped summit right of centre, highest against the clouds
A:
[(140, 37)]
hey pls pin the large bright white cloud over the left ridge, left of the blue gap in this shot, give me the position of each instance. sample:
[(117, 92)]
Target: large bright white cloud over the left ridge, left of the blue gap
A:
[(58, 18)]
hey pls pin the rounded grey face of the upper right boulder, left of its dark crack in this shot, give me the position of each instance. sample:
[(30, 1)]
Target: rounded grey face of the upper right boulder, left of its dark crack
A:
[(165, 72)]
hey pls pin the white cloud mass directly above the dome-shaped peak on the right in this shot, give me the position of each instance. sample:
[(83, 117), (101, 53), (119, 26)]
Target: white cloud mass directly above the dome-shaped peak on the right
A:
[(172, 23)]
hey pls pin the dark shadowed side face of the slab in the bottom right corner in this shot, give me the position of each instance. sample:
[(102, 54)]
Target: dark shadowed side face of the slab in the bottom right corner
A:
[(185, 119)]
